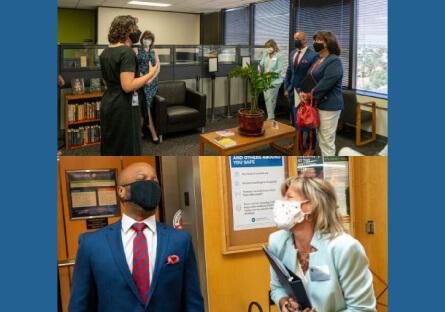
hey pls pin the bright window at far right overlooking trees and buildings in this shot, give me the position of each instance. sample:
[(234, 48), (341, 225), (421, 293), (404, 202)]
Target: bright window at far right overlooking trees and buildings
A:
[(372, 46)]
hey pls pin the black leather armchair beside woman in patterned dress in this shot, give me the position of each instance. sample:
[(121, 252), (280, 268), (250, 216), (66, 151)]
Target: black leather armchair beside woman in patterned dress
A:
[(178, 108)]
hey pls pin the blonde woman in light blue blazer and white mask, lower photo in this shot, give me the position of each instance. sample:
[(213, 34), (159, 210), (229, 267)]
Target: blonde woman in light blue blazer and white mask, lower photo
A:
[(313, 244)]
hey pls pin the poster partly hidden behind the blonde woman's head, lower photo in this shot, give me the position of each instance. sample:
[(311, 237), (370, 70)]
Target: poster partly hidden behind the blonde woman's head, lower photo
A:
[(334, 169)]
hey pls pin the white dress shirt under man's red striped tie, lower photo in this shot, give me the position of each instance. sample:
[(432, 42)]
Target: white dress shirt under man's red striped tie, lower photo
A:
[(128, 235)]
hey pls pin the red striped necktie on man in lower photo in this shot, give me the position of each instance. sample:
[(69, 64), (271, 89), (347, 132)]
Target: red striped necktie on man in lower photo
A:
[(141, 272)]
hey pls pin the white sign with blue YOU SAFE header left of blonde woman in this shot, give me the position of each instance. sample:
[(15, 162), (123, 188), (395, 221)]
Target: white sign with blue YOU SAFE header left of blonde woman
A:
[(255, 185)]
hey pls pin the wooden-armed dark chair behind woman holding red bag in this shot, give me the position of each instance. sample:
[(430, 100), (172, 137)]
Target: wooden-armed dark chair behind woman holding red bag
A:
[(353, 114)]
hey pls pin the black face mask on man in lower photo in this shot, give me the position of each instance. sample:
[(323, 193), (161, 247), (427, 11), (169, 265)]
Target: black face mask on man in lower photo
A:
[(145, 193)]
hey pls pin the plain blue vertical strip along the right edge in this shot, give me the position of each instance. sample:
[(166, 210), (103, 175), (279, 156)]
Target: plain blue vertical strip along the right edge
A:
[(416, 171)]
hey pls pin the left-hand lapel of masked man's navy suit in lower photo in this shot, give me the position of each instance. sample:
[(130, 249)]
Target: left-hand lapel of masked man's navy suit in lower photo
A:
[(114, 238)]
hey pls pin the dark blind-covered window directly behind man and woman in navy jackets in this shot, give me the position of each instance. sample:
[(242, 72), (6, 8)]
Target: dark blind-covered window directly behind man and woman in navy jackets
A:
[(327, 15)]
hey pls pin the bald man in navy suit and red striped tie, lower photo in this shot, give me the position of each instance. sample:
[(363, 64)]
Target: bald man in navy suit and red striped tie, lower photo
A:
[(136, 264)]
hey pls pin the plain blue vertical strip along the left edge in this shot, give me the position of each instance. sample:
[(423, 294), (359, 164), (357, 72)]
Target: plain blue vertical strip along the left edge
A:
[(28, 228)]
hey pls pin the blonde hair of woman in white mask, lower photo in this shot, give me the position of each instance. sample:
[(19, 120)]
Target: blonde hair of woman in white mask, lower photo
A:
[(321, 195)]
